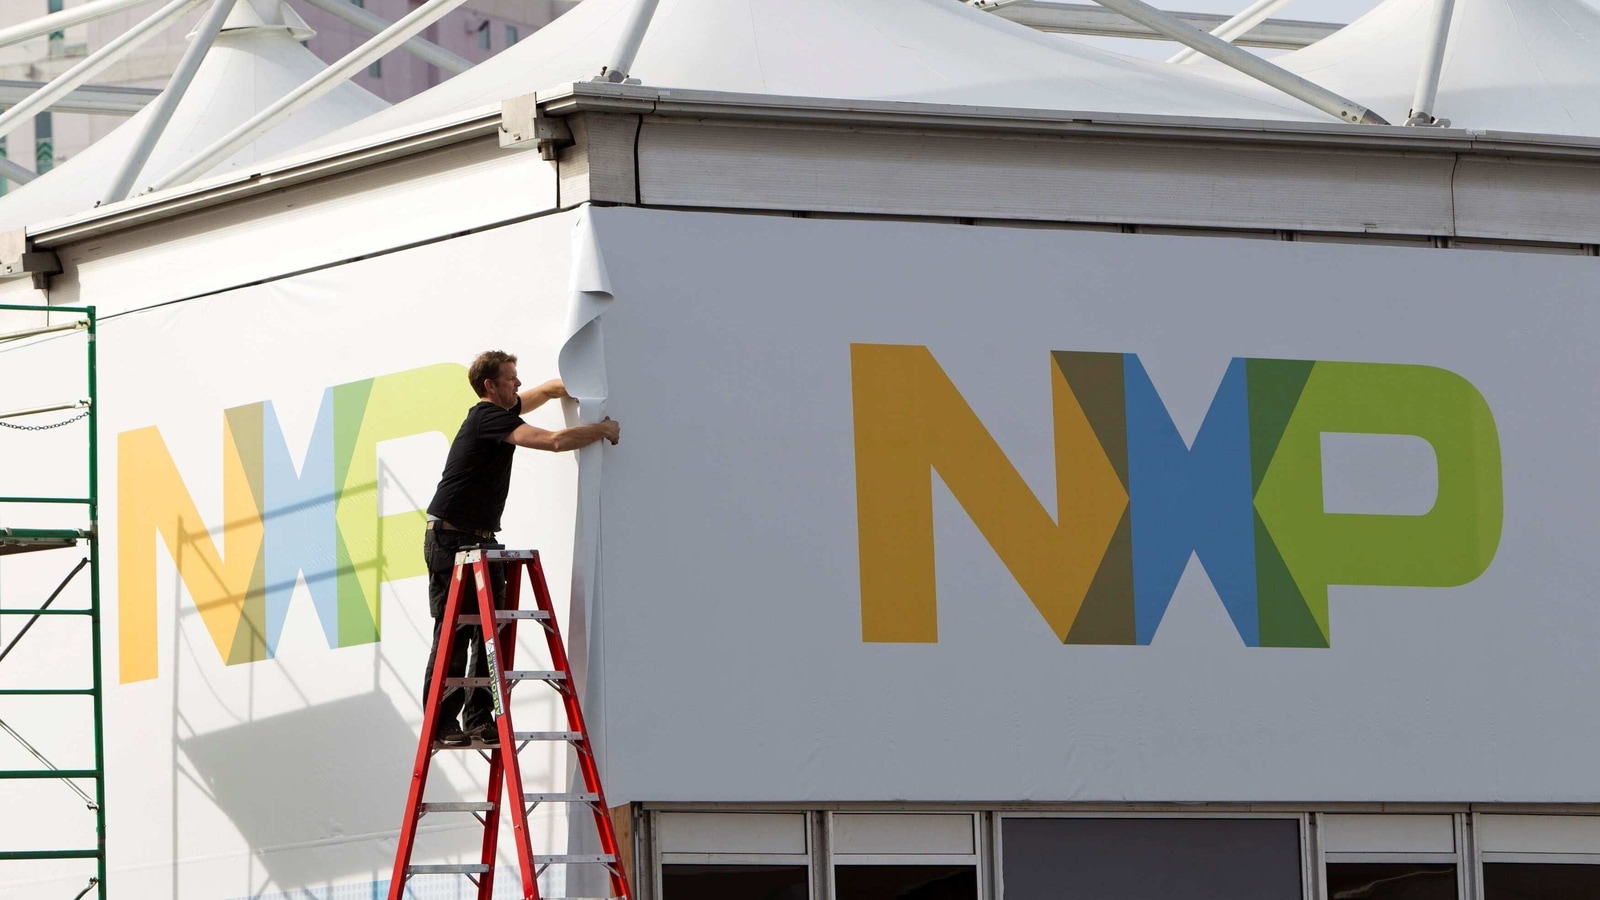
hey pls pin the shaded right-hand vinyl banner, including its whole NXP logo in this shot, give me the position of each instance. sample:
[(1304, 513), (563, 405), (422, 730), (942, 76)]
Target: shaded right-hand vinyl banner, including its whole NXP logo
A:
[(950, 513)]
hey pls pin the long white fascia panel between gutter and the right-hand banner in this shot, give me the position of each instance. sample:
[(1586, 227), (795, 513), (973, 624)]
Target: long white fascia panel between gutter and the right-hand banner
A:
[(1042, 179)]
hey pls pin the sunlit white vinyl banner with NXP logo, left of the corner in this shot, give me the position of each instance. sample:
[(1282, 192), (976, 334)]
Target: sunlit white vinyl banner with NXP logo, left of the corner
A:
[(266, 456)]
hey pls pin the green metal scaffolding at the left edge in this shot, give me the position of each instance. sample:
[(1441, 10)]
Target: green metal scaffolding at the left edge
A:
[(39, 540)]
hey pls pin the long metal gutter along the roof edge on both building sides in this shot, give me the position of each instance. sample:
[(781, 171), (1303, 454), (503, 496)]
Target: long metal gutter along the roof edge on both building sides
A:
[(713, 108)]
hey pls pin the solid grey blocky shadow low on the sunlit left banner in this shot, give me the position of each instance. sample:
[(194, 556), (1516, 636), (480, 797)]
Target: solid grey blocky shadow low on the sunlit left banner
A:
[(297, 784)]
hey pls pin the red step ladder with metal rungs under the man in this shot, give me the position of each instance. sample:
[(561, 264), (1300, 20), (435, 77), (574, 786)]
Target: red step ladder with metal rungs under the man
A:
[(500, 653)]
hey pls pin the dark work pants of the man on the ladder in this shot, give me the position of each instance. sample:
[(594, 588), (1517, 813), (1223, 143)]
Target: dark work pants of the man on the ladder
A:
[(473, 704)]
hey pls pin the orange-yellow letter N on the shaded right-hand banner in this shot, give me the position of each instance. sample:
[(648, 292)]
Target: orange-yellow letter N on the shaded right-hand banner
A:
[(911, 422)]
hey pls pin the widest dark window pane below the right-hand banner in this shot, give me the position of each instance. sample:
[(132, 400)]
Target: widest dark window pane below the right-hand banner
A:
[(1151, 859)]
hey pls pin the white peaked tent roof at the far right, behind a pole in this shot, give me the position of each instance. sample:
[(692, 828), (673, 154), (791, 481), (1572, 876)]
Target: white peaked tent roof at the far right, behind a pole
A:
[(1510, 66)]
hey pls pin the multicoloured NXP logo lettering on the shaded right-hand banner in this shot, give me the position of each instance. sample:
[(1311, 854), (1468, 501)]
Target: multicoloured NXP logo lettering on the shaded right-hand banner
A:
[(1134, 500)]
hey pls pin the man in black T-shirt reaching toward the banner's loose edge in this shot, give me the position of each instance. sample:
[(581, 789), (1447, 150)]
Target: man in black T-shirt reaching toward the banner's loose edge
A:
[(466, 510)]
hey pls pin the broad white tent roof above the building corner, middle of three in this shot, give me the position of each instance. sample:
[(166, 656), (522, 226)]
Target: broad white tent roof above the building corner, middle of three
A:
[(914, 50)]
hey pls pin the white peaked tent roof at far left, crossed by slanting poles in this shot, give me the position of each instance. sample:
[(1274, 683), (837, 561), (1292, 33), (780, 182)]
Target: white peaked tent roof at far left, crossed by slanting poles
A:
[(250, 66)]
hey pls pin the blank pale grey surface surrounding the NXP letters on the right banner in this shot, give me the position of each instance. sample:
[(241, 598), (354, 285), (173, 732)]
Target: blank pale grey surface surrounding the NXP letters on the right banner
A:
[(737, 669)]
